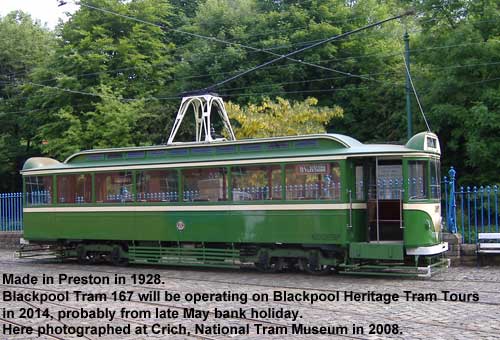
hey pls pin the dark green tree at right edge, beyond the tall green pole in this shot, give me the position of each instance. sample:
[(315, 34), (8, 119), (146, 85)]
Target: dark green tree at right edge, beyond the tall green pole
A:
[(457, 68)]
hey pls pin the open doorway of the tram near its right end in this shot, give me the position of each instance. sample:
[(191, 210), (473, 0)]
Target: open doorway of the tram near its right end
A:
[(385, 199)]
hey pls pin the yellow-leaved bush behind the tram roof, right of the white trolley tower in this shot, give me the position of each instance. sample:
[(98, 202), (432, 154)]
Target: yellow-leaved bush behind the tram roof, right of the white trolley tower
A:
[(281, 118)]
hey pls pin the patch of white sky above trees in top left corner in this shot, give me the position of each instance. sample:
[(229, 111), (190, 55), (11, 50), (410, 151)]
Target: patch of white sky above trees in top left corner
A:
[(44, 10)]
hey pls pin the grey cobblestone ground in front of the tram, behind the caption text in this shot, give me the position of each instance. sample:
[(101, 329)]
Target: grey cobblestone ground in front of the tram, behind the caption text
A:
[(416, 320)]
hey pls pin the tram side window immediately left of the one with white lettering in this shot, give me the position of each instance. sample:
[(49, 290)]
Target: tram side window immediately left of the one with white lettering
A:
[(256, 182)]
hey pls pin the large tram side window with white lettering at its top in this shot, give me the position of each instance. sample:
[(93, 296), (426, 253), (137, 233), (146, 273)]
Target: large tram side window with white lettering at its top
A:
[(313, 181)]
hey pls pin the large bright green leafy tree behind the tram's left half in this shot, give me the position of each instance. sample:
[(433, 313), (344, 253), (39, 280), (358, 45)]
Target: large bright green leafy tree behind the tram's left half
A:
[(105, 63)]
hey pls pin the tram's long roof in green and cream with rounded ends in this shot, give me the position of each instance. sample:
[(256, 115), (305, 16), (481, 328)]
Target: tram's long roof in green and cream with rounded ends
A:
[(260, 148)]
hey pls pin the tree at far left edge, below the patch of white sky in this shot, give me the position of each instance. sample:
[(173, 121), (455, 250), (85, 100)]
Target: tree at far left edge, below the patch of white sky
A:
[(24, 45)]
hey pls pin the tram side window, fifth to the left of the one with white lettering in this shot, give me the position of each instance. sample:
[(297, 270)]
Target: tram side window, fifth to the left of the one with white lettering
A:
[(74, 189)]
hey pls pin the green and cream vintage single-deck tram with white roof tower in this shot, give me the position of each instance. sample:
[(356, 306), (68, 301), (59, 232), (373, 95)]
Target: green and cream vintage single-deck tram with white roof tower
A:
[(317, 202)]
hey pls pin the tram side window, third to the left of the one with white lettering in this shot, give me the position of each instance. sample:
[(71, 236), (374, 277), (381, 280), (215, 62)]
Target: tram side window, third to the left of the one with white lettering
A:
[(157, 186)]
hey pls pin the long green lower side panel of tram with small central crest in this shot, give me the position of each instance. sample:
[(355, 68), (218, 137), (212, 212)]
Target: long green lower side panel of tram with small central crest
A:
[(241, 226)]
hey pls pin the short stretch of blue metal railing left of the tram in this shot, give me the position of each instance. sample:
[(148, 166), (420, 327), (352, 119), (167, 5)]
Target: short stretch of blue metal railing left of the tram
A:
[(11, 211)]
